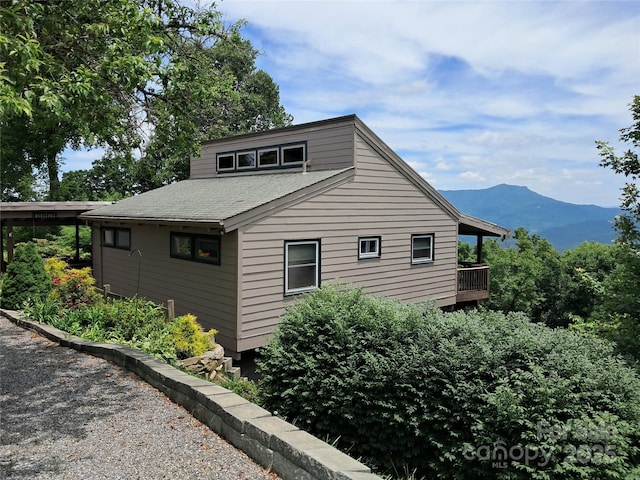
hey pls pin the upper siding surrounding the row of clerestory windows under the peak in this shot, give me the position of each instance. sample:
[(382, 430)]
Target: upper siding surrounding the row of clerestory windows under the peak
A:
[(328, 147)]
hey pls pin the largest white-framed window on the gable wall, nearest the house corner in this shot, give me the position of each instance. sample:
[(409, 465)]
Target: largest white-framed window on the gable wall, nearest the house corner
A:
[(302, 266)]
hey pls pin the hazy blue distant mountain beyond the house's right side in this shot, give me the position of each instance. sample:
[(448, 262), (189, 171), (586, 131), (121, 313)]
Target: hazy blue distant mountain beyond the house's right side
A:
[(565, 225)]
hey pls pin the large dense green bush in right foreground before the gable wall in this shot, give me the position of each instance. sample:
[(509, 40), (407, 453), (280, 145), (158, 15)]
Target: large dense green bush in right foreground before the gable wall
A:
[(452, 395)]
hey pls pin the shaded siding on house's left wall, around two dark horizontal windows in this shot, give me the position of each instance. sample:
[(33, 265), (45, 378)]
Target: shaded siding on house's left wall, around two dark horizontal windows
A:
[(207, 291)]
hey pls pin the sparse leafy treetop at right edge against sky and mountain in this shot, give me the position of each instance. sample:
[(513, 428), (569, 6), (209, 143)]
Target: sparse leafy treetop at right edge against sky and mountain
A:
[(627, 164)]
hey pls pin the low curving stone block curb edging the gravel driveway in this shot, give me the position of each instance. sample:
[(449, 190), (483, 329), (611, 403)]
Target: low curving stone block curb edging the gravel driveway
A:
[(270, 441)]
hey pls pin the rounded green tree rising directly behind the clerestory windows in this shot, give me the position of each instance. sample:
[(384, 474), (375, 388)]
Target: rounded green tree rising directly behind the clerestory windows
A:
[(249, 103)]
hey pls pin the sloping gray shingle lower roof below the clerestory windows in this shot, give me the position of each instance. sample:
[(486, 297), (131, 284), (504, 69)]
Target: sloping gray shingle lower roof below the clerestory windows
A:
[(210, 199)]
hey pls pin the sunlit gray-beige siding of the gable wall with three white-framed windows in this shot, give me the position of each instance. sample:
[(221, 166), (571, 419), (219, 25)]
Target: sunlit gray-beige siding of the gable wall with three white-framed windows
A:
[(379, 202)]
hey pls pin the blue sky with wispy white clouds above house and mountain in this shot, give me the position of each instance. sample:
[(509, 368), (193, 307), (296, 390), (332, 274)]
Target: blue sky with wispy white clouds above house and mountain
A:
[(470, 94)]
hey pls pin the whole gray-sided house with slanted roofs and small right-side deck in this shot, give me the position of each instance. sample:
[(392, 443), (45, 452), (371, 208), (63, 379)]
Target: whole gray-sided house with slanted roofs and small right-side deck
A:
[(265, 217)]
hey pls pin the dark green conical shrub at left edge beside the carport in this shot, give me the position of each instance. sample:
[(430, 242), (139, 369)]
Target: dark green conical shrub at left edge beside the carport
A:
[(25, 279)]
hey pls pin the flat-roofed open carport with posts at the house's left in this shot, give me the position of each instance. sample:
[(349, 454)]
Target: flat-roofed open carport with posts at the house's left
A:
[(40, 214)]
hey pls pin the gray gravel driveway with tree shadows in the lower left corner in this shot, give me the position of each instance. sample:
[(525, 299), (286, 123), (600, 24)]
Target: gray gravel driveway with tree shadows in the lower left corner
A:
[(68, 415)]
